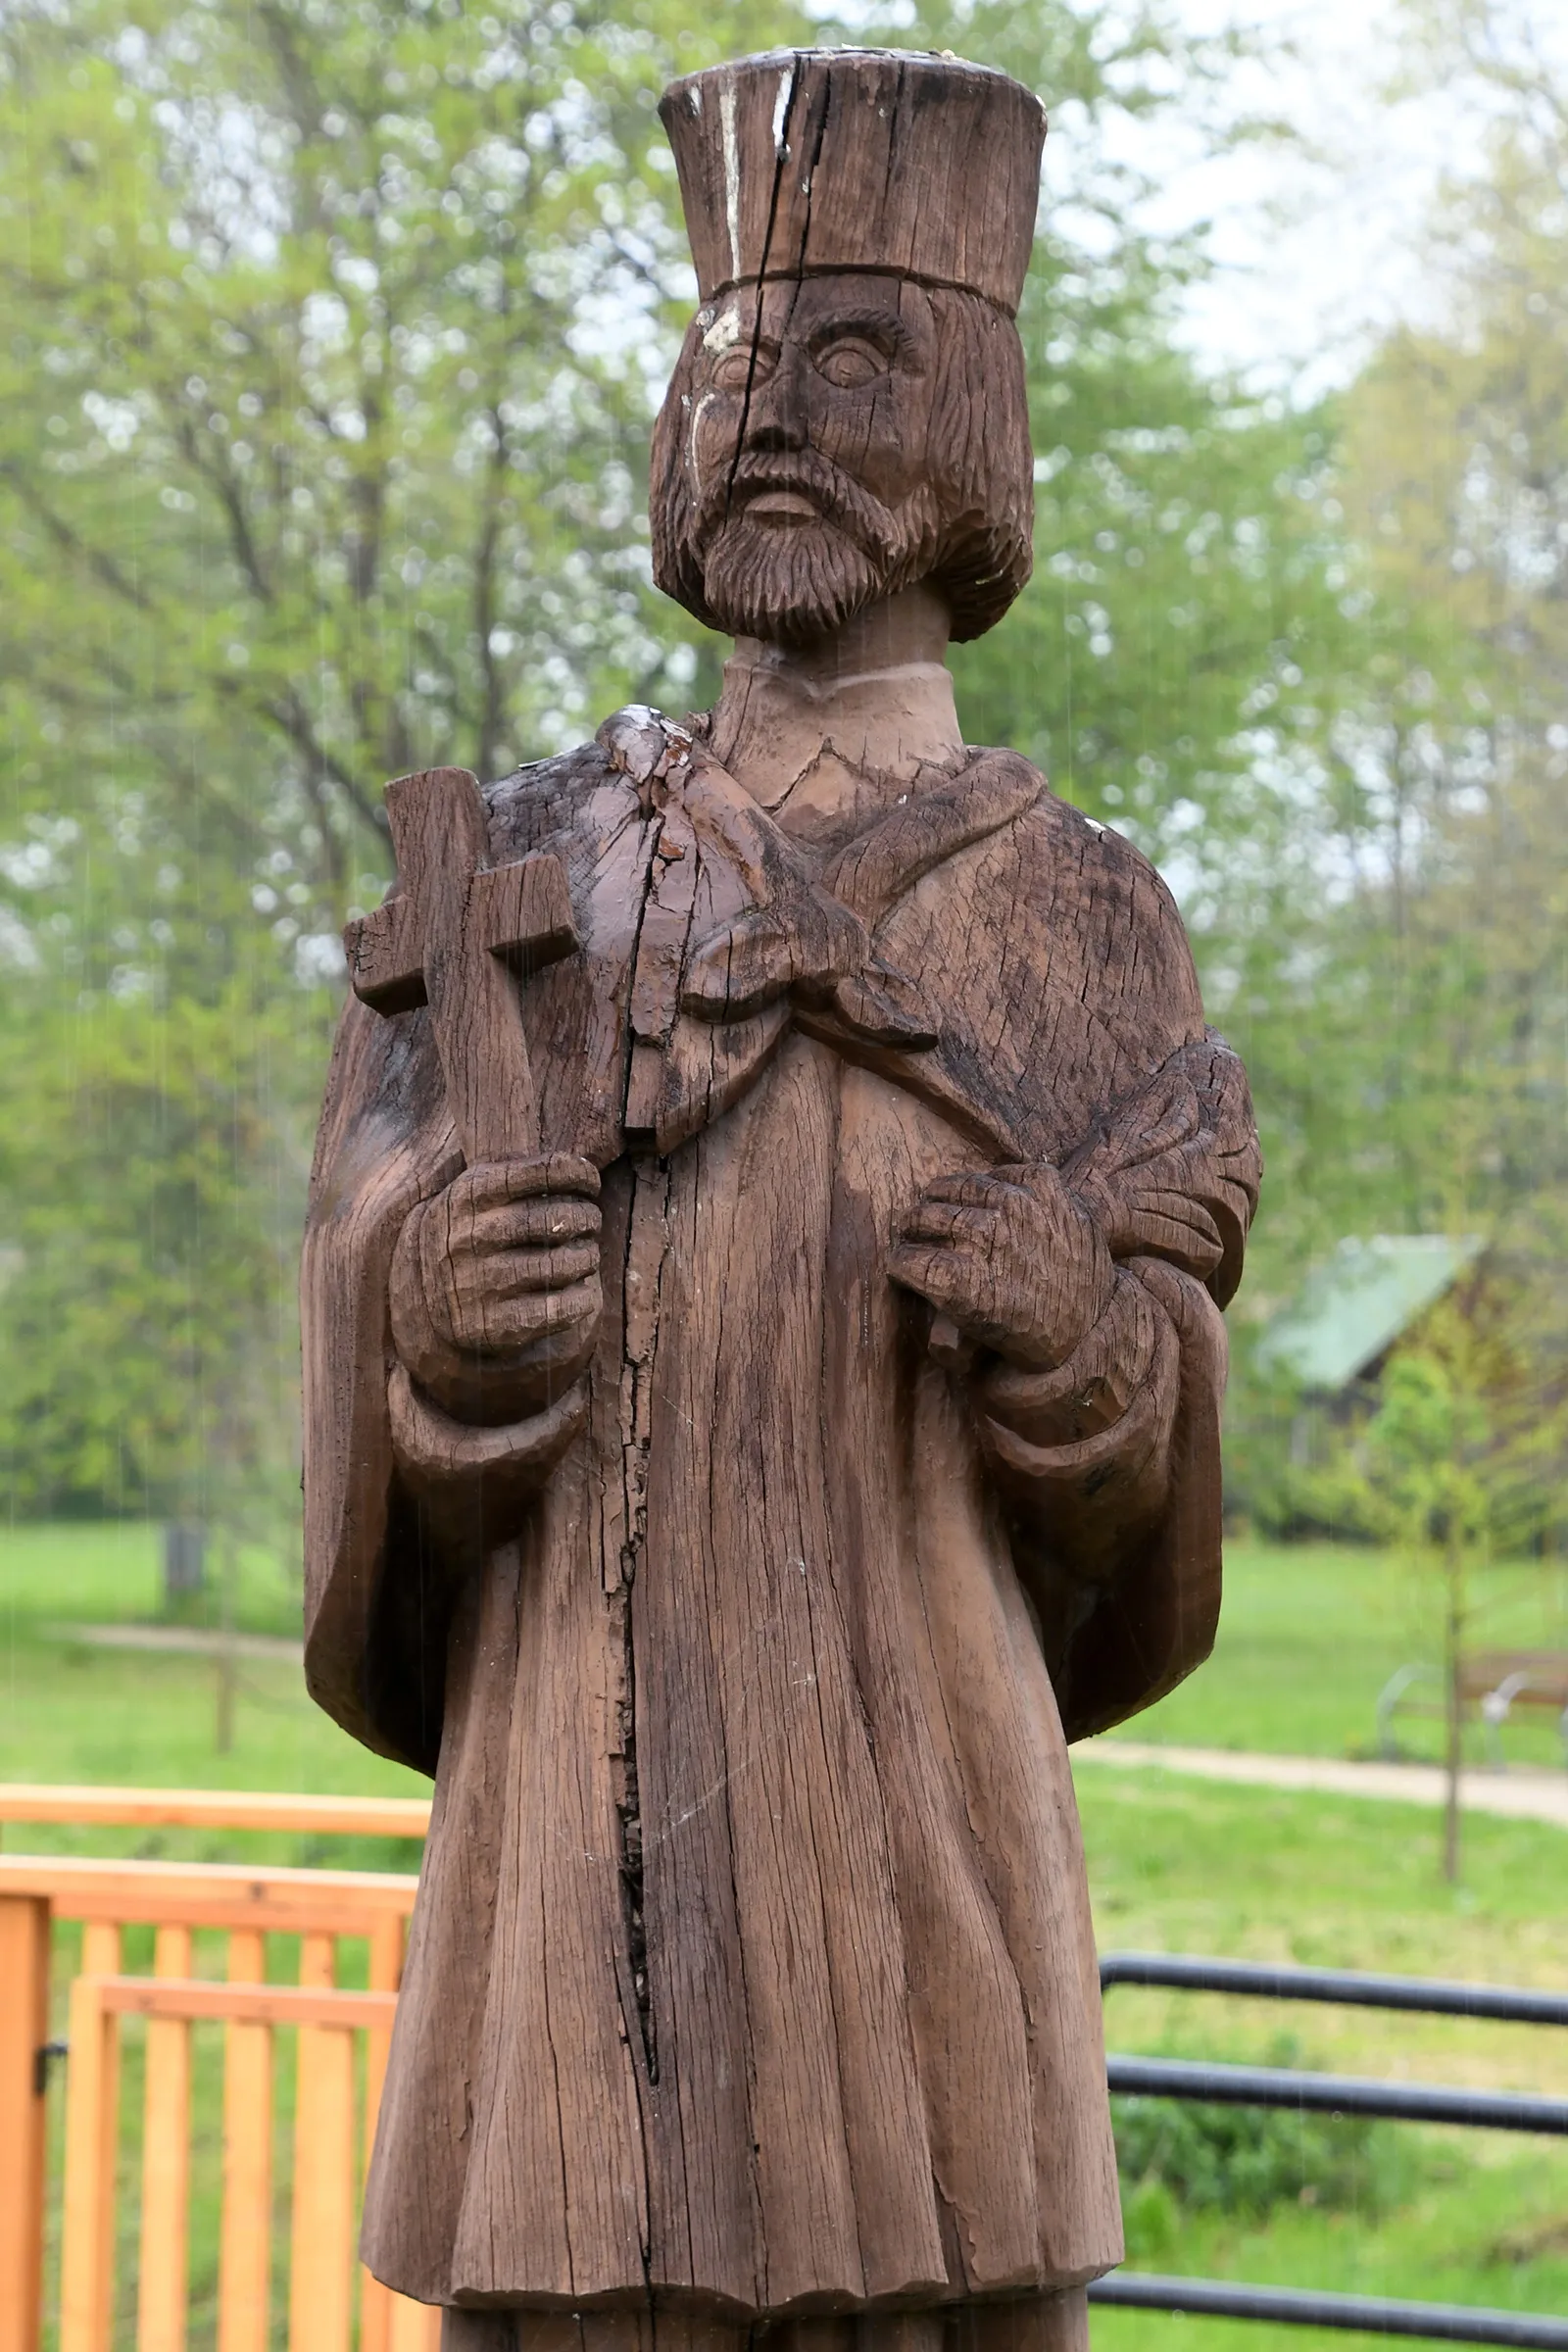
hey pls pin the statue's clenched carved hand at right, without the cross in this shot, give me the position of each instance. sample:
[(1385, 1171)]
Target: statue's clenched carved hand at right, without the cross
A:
[(1012, 1259)]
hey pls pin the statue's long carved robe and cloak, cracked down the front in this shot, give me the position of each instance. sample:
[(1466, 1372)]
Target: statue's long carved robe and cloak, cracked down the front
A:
[(753, 1963)]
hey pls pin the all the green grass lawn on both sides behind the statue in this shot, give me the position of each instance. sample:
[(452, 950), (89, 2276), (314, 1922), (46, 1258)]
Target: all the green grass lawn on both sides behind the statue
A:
[(1174, 1866)]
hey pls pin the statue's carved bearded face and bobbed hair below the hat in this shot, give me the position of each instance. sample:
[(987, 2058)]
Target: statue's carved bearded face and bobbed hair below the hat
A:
[(836, 439)]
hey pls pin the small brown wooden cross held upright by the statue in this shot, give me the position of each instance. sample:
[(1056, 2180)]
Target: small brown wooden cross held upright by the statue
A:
[(453, 940)]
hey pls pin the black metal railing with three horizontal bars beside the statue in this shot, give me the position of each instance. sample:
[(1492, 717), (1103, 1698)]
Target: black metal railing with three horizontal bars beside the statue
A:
[(1334, 2094)]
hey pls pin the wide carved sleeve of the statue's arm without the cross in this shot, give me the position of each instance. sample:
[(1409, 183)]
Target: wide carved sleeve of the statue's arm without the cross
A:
[(1111, 1464)]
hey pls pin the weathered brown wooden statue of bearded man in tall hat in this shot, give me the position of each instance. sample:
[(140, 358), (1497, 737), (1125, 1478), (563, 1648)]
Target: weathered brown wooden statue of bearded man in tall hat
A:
[(763, 1349)]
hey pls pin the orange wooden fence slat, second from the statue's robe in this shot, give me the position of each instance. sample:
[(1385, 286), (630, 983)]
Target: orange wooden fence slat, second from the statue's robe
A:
[(321, 2254)]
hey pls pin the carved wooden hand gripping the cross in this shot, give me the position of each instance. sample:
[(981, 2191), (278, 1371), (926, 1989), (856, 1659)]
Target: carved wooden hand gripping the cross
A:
[(497, 1288)]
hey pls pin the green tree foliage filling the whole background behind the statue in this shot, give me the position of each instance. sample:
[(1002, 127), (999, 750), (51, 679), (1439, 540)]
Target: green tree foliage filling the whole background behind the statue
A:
[(333, 335)]
